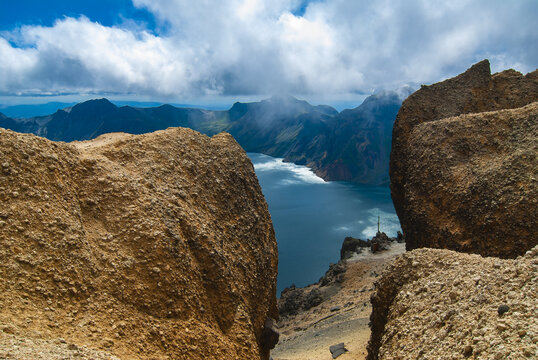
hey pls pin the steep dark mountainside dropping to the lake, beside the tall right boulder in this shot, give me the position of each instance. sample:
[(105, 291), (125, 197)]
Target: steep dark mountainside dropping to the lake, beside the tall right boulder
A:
[(356, 147)]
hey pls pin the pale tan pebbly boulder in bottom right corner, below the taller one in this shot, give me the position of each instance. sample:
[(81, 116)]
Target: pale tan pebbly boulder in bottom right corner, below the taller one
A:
[(424, 308)]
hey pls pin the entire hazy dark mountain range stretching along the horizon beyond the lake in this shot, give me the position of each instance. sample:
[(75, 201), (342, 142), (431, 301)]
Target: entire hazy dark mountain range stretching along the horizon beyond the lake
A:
[(353, 145)]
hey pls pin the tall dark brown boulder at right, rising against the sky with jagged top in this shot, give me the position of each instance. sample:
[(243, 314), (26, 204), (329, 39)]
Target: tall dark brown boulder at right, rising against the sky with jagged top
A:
[(469, 182)]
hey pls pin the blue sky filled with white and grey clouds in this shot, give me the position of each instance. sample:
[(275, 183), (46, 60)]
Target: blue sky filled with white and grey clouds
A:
[(184, 51)]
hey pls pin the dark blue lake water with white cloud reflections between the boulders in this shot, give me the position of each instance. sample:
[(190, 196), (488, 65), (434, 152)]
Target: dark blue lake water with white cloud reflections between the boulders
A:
[(312, 217)]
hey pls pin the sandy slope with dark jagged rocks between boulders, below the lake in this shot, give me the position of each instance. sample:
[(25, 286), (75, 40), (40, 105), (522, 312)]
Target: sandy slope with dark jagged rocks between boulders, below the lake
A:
[(336, 309)]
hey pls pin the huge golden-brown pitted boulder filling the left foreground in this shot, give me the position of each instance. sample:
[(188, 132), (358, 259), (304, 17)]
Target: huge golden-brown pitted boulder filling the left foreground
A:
[(152, 246)]
